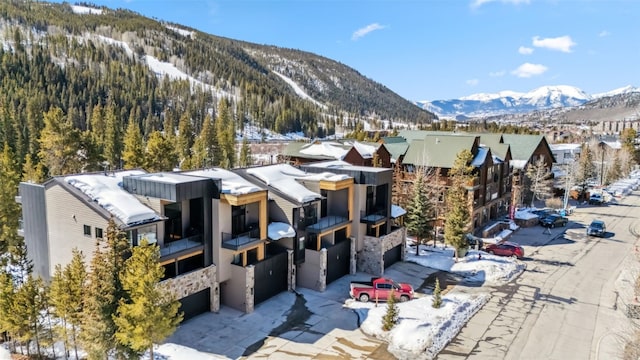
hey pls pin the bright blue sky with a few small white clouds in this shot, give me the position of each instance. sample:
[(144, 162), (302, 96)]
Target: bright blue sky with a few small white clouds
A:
[(436, 49)]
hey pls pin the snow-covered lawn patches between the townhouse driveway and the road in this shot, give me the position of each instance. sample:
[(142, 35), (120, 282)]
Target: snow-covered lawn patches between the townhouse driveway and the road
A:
[(423, 331)]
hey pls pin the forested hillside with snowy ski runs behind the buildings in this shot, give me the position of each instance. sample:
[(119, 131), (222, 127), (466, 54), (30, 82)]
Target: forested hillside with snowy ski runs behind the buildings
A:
[(84, 90)]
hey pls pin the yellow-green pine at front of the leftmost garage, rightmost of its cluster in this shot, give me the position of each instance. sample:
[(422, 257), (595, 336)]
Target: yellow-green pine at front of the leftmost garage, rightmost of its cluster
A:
[(149, 315)]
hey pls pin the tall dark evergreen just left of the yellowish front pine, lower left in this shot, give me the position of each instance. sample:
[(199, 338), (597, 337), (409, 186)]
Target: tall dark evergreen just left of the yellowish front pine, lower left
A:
[(104, 291)]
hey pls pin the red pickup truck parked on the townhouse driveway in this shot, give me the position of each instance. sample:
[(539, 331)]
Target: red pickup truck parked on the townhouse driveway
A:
[(380, 289)]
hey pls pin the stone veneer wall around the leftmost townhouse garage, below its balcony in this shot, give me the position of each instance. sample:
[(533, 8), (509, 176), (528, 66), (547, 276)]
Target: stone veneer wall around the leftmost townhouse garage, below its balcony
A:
[(193, 282)]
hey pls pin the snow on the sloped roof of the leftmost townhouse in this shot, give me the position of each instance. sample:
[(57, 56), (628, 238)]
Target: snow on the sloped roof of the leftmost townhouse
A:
[(107, 191)]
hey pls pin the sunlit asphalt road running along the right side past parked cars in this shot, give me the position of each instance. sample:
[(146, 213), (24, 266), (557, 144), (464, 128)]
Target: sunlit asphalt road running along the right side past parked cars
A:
[(566, 305)]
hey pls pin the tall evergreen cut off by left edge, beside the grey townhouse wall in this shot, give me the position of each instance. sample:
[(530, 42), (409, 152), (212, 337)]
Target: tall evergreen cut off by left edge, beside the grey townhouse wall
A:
[(9, 208)]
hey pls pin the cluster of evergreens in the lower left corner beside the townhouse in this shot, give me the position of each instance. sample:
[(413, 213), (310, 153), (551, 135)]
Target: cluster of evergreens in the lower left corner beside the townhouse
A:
[(116, 309)]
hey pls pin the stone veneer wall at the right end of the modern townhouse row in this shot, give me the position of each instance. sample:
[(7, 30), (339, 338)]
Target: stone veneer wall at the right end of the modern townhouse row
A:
[(371, 258)]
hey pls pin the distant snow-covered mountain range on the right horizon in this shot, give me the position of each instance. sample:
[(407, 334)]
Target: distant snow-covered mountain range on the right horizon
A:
[(511, 102)]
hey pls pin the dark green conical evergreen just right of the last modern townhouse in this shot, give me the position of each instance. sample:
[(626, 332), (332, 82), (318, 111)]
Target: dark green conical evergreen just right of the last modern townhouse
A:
[(419, 219)]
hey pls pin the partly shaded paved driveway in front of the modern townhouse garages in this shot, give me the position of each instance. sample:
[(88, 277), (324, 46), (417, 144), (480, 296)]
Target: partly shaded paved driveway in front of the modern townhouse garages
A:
[(307, 324)]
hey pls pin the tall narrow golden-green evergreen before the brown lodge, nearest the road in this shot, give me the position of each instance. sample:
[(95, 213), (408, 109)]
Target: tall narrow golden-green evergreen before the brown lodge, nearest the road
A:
[(458, 217)]
